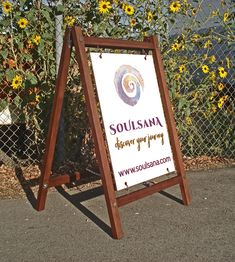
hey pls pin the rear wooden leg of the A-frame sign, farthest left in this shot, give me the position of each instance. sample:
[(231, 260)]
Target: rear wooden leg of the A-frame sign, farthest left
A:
[(54, 123)]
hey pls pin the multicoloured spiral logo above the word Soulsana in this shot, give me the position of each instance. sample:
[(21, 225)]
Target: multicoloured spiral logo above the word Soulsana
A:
[(129, 84)]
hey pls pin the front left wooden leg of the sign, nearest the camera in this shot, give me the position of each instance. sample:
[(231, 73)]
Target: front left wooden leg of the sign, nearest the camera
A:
[(109, 192)]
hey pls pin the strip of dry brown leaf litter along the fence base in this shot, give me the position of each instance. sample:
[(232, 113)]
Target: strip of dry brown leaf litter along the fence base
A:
[(17, 182)]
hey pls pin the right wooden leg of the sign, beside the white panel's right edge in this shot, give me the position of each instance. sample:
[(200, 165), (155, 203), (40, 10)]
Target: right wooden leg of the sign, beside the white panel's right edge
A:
[(169, 116)]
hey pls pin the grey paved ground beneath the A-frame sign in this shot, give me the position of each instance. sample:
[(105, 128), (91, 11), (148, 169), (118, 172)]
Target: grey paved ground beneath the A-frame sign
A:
[(157, 228)]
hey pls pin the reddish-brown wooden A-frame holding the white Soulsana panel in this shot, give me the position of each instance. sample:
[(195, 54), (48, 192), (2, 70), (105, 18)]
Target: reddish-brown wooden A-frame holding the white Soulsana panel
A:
[(74, 37)]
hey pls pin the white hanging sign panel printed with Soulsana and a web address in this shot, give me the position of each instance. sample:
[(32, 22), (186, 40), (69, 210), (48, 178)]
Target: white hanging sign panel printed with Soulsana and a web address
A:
[(133, 117)]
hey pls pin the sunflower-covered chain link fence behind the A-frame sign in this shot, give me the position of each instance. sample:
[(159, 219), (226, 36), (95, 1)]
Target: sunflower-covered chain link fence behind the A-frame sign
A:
[(198, 47)]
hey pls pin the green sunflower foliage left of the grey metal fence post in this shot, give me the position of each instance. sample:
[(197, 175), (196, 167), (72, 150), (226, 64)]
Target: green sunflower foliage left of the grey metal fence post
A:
[(27, 51)]
